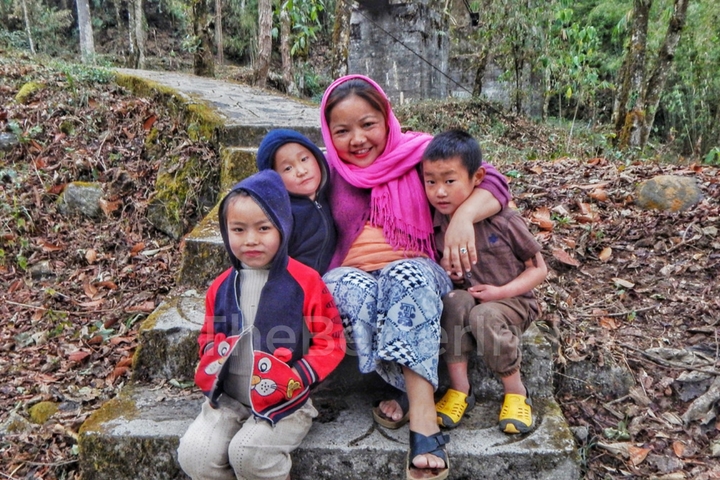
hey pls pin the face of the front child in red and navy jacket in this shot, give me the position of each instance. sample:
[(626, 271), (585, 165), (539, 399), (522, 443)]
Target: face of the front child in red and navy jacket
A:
[(253, 238)]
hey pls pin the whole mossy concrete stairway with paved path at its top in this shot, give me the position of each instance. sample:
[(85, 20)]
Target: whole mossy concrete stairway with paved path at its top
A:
[(135, 436)]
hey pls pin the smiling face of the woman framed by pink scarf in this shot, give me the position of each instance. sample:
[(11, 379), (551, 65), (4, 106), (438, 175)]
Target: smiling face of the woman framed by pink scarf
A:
[(358, 131)]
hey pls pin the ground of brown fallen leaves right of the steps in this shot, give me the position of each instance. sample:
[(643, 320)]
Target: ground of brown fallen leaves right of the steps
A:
[(634, 288)]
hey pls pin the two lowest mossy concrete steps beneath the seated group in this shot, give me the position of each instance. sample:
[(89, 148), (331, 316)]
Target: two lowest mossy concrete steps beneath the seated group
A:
[(135, 435)]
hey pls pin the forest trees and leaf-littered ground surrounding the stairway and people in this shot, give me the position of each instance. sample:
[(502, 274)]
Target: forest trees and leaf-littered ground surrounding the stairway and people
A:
[(631, 90)]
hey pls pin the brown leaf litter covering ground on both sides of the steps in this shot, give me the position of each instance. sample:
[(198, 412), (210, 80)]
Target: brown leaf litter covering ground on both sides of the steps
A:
[(627, 287)]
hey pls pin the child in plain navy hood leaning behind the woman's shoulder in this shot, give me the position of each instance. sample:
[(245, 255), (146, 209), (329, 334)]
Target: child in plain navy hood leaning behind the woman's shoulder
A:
[(304, 171)]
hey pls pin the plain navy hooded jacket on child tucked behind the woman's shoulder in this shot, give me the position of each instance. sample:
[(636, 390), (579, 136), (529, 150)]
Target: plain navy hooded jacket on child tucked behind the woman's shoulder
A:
[(313, 238)]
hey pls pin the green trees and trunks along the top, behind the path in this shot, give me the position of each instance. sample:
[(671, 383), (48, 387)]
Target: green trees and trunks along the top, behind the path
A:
[(642, 71)]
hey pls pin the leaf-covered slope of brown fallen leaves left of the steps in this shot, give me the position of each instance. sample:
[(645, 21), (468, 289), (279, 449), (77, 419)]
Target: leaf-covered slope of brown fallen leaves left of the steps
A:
[(74, 290)]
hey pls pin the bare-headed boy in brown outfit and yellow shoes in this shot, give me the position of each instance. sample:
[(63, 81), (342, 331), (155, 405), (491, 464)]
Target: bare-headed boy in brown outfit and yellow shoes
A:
[(494, 302)]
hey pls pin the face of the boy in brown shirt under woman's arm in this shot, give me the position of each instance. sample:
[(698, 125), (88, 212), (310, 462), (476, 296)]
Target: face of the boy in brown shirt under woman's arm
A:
[(448, 184)]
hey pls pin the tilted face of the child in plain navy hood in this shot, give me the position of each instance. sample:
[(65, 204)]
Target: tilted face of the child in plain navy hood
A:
[(299, 169)]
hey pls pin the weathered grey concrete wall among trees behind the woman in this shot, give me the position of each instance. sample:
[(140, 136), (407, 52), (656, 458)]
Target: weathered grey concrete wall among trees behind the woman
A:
[(417, 50)]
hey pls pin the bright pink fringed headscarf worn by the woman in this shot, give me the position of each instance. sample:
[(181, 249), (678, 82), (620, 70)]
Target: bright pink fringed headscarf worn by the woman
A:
[(397, 199)]
